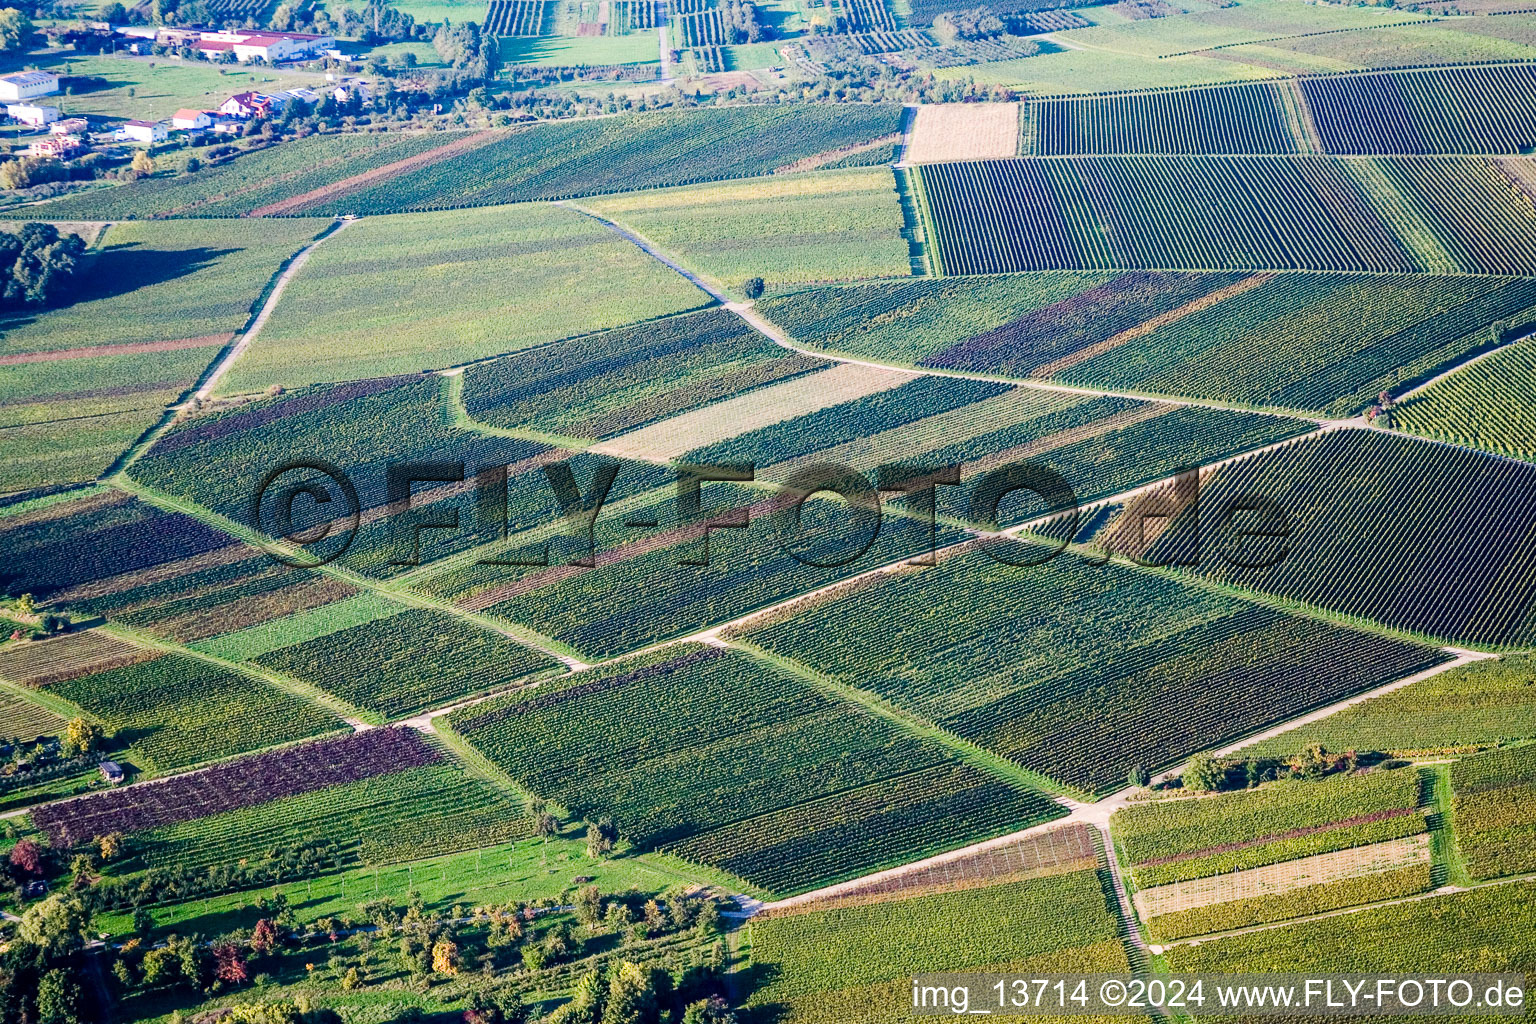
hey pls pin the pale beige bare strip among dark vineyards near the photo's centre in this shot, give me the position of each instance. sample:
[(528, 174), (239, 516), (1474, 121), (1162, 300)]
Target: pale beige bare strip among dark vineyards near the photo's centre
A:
[(753, 411)]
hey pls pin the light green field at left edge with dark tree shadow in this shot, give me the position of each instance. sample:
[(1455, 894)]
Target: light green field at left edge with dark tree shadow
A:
[(174, 294)]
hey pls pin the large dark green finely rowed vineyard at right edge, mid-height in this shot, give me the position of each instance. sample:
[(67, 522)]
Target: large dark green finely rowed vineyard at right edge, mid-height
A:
[(1471, 584)]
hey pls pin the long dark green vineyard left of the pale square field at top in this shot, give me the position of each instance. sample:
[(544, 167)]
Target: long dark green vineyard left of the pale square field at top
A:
[(627, 153)]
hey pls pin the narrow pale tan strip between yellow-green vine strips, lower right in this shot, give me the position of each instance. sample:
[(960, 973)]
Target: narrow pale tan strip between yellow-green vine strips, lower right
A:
[(1274, 880)]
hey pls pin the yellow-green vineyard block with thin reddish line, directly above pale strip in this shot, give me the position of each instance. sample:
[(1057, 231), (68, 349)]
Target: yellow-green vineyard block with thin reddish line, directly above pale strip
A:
[(1177, 841)]
